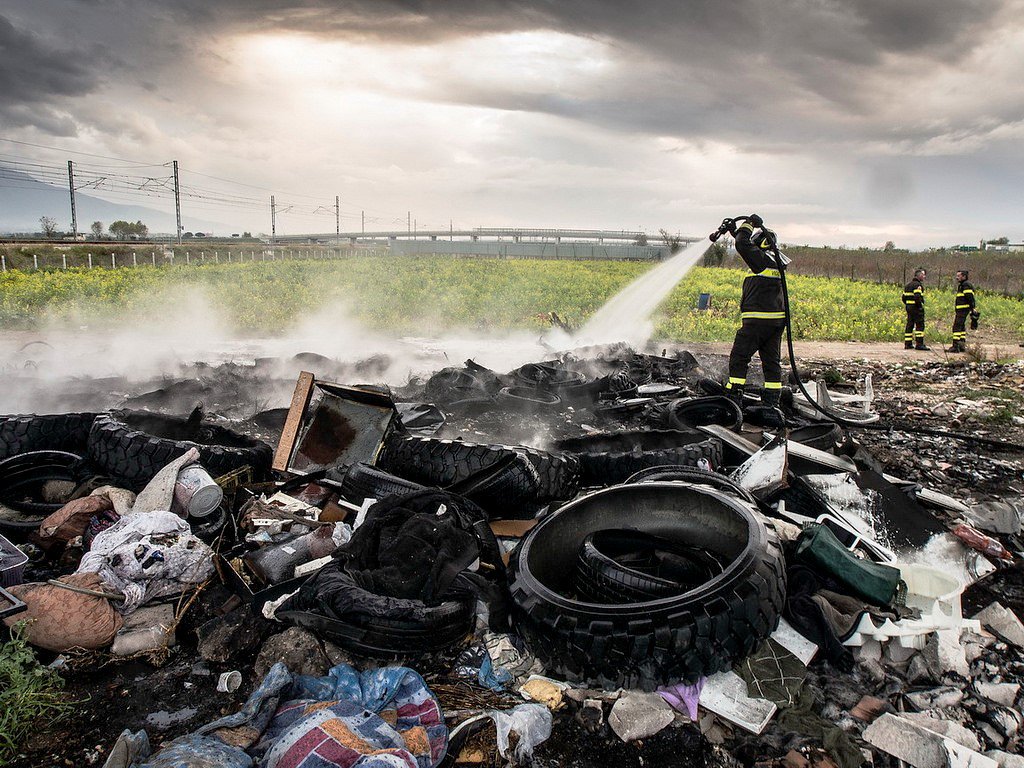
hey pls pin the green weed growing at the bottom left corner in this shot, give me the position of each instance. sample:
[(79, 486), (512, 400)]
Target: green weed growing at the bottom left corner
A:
[(30, 694)]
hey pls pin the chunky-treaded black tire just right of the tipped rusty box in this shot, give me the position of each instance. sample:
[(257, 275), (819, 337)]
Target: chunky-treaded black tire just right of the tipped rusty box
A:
[(445, 463)]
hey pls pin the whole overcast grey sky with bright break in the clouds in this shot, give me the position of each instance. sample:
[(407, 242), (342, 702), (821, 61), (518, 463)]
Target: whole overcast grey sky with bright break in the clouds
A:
[(840, 121)]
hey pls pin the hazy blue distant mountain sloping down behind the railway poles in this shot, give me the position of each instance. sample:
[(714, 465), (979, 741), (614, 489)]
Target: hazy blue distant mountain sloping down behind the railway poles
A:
[(24, 200)]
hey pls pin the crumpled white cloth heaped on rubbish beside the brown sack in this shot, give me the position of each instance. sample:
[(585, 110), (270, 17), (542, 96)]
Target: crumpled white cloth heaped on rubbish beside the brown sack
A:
[(145, 557)]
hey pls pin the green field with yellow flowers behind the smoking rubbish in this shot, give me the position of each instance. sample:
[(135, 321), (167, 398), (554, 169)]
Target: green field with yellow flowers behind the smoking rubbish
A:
[(430, 295)]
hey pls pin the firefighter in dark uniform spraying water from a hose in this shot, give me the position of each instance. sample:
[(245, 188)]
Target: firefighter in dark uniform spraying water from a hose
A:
[(762, 312)]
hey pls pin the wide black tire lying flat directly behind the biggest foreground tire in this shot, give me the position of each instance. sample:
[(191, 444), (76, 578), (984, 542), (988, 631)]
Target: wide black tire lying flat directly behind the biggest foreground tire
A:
[(613, 458)]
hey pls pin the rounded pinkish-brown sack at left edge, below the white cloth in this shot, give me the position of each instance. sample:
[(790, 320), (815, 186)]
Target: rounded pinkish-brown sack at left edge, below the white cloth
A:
[(60, 619)]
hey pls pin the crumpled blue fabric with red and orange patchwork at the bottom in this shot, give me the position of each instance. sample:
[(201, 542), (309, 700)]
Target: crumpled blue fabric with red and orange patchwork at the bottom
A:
[(382, 718)]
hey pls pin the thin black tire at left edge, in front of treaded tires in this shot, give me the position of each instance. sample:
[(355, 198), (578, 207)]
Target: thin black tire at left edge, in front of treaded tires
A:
[(25, 473)]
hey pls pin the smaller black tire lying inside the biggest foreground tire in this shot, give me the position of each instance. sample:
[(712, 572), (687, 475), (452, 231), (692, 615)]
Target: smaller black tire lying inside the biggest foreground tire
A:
[(605, 576)]
